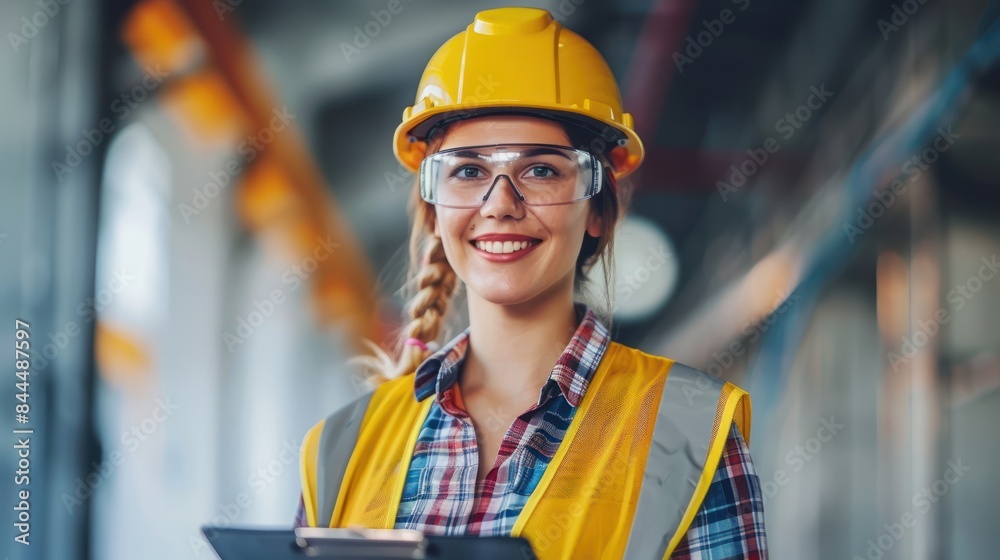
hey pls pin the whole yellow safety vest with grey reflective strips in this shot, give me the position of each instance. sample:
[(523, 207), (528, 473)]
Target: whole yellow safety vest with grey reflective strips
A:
[(626, 481)]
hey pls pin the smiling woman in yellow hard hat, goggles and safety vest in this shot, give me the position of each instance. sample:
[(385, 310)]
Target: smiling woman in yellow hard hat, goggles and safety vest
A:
[(519, 139)]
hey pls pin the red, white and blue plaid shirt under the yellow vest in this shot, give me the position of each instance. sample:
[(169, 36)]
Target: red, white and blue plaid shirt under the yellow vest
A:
[(439, 494)]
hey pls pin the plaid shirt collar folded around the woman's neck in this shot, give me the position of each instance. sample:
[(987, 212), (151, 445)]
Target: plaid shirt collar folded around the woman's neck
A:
[(570, 376)]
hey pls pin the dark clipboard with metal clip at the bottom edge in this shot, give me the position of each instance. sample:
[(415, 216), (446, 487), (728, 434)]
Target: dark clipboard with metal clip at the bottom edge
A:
[(235, 543)]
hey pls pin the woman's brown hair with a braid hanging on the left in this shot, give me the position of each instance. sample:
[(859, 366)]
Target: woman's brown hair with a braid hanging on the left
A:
[(436, 282)]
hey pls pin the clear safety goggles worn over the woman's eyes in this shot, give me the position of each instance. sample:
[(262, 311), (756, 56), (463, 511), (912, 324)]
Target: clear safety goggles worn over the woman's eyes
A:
[(540, 174)]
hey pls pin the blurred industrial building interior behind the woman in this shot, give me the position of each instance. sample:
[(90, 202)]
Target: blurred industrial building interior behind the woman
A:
[(201, 217)]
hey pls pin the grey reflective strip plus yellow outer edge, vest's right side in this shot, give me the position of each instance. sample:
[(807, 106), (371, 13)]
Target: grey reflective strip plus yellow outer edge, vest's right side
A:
[(692, 425)]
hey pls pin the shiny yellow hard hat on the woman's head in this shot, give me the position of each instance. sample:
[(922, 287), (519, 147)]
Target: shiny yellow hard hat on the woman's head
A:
[(519, 60)]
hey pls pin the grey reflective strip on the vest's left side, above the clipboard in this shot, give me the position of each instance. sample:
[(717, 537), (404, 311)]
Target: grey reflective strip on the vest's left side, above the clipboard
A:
[(340, 433)]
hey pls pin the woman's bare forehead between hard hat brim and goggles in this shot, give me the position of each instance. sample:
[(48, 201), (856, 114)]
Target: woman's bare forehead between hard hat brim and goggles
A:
[(503, 129)]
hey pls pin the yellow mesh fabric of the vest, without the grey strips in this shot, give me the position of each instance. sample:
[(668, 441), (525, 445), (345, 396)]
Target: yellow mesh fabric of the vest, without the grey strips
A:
[(586, 501)]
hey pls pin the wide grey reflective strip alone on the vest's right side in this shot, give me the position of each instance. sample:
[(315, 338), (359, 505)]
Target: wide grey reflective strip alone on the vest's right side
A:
[(676, 460)]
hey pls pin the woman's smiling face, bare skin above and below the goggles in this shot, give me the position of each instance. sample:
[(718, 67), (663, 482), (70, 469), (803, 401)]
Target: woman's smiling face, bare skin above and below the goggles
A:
[(480, 242)]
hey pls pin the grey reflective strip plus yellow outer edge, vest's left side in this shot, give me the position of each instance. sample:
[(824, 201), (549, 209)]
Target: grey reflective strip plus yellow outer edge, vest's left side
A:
[(326, 451)]
